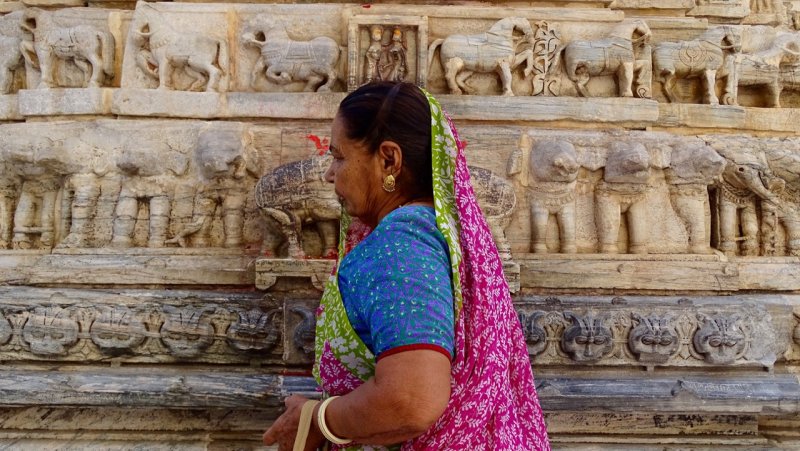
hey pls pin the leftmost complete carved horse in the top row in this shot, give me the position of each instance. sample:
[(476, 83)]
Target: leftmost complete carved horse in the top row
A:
[(91, 49)]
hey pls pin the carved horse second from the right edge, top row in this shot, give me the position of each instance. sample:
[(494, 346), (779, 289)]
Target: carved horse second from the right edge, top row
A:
[(707, 57)]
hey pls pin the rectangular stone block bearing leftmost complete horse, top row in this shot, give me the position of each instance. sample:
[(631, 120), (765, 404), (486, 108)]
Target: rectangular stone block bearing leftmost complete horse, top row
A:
[(68, 49)]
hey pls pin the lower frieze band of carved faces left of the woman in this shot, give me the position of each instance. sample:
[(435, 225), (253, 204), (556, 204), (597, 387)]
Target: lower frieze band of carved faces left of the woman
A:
[(74, 325)]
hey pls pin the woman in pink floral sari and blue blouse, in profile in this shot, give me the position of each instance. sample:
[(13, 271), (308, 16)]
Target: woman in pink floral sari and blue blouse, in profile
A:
[(418, 345)]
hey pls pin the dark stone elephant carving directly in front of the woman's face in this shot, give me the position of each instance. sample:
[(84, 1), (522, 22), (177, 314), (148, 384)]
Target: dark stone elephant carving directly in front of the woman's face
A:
[(296, 193)]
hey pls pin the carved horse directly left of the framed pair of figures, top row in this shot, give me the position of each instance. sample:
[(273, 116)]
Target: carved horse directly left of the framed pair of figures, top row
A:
[(286, 60)]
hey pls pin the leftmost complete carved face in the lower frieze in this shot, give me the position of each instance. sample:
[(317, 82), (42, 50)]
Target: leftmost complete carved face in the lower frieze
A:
[(50, 330)]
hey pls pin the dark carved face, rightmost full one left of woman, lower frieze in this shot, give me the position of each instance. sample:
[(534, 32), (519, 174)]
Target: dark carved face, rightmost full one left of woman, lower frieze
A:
[(254, 330)]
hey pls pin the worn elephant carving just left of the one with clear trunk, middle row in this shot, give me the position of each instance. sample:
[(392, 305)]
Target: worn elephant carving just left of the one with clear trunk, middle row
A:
[(693, 167)]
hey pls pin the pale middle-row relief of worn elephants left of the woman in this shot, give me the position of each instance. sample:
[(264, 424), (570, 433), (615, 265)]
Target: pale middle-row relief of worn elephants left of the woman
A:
[(102, 184)]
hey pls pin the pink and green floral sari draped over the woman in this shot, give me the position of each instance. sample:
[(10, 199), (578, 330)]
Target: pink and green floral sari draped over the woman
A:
[(493, 403)]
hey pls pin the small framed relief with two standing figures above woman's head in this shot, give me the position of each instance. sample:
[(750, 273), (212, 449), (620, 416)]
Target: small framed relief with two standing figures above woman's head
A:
[(393, 49)]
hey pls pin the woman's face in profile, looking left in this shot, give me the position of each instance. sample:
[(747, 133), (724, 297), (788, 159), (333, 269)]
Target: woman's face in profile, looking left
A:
[(355, 173)]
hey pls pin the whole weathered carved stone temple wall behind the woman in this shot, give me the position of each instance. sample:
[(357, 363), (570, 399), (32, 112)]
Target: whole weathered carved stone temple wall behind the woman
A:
[(165, 229)]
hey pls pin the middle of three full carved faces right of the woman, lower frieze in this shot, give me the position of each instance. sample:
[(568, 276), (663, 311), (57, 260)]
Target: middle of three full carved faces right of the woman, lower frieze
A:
[(654, 339)]
